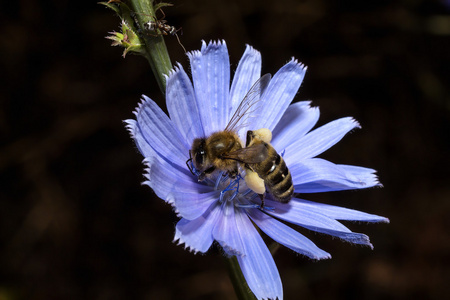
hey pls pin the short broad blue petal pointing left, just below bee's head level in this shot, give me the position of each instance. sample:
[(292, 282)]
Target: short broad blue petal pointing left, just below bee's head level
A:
[(169, 181)]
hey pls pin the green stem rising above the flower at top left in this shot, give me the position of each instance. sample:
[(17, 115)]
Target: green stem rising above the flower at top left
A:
[(156, 50)]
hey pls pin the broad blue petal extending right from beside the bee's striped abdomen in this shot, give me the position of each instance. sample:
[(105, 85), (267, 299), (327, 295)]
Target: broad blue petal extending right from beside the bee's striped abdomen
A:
[(317, 175)]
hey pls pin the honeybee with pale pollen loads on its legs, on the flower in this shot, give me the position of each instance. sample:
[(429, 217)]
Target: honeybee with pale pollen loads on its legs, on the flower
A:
[(265, 169)]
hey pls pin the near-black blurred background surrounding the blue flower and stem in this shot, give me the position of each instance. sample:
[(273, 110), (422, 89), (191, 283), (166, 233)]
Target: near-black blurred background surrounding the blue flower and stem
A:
[(75, 222)]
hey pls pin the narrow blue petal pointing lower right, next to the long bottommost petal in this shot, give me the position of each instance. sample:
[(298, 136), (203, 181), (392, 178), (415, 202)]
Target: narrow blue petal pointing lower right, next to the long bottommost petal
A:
[(287, 236)]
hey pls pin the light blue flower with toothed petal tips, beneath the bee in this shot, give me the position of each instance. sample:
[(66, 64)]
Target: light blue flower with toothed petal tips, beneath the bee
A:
[(222, 209)]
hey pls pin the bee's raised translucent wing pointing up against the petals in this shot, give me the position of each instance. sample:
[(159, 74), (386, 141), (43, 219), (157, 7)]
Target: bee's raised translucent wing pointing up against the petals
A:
[(247, 104)]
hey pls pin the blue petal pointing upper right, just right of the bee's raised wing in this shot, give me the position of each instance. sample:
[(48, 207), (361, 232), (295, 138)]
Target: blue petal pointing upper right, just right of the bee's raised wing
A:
[(278, 95)]
